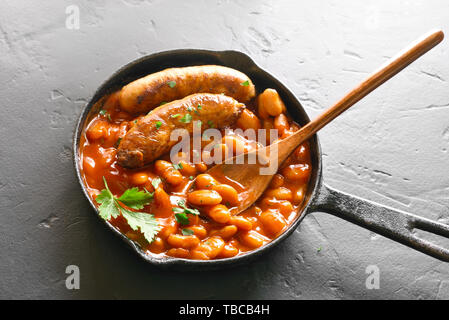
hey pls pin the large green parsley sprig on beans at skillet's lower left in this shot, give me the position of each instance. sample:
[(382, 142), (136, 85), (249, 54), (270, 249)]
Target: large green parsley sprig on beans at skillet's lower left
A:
[(111, 207)]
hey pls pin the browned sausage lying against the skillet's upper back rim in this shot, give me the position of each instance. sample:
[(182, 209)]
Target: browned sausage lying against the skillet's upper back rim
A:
[(144, 94)]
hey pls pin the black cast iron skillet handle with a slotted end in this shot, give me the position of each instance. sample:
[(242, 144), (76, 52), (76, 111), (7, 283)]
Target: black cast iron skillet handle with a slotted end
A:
[(391, 223)]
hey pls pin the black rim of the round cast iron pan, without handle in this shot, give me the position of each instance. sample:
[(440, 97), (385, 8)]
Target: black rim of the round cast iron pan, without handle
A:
[(178, 262)]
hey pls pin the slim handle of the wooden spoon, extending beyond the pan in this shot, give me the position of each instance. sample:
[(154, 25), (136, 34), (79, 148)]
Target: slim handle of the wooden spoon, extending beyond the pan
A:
[(387, 71)]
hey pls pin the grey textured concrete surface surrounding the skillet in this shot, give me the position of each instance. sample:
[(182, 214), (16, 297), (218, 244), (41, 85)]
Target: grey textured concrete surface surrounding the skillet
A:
[(392, 148)]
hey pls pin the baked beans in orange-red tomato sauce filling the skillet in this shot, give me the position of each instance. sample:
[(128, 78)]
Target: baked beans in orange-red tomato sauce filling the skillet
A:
[(215, 234)]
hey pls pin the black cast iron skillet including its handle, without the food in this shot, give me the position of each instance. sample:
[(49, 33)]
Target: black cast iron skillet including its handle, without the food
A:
[(394, 224)]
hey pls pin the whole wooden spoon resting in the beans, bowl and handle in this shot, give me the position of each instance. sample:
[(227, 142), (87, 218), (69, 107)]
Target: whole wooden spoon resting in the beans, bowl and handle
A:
[(249, 175)]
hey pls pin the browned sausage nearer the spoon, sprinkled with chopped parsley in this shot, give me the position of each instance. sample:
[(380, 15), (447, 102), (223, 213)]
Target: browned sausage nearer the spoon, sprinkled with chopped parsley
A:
[(150, 137)]
